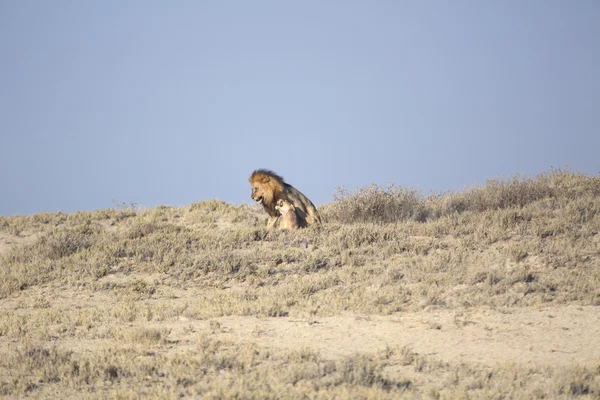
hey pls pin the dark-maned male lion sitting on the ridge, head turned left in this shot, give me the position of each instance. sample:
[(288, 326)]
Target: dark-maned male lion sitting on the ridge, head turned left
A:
[(268, 187)]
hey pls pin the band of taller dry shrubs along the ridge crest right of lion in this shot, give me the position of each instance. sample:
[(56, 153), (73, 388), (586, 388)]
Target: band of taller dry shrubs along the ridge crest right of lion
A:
[(374, 204)]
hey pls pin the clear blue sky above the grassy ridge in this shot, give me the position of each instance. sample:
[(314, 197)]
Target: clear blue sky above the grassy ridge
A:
[(173, 102)]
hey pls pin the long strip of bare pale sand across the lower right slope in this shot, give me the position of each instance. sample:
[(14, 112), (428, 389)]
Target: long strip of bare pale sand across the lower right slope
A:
[(554, 335)]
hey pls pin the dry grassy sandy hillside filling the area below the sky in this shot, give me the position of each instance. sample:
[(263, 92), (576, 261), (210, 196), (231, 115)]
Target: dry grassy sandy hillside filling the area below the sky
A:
[(493, 292)]
